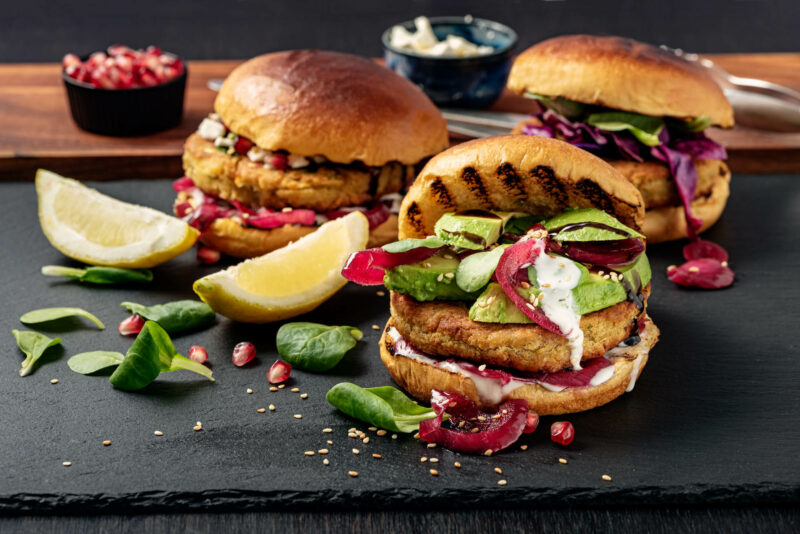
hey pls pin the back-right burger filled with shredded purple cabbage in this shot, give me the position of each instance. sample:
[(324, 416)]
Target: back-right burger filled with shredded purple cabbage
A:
[(642, 109)]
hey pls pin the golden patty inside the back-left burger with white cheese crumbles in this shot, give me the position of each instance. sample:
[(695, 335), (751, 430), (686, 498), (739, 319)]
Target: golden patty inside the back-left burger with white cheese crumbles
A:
[(321, 187)]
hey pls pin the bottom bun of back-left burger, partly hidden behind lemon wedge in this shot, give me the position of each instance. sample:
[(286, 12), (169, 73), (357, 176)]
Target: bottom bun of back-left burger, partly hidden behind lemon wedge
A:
[(232, 239)]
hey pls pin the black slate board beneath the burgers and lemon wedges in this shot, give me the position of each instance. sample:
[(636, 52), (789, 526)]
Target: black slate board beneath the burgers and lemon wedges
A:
[(714, 419)]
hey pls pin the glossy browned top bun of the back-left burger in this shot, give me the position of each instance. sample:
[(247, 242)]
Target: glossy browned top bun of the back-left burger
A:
[(340, 106)]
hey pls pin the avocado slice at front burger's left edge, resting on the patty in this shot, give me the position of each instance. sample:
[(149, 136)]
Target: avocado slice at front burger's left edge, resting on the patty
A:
[(431, 279)]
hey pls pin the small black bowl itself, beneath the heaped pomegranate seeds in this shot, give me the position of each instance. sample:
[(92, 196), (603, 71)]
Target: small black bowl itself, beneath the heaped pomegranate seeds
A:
[(126, 112)]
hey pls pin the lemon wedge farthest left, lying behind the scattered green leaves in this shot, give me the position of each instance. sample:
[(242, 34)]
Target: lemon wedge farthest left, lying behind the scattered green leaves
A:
[(88, 226)]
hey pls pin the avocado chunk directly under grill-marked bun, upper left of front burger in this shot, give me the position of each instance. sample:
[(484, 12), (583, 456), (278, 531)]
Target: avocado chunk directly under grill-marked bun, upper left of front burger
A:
[(472, 229)]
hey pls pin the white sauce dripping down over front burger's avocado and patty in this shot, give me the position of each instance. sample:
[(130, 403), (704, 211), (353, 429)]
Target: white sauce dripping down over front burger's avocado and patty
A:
[(557, 277)]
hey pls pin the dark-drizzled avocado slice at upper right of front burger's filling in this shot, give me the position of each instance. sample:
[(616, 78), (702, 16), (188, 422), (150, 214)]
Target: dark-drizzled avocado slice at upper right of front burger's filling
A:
[(588, 225)]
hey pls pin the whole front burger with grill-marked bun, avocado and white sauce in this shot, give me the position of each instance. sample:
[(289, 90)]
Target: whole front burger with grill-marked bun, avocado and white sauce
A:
[(520, 273)]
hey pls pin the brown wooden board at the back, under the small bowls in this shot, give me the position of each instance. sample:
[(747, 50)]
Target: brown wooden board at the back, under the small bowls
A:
[(36, 129)]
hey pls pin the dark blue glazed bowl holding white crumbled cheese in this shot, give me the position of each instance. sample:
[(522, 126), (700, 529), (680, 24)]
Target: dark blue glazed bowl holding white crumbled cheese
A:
[(473, 82)]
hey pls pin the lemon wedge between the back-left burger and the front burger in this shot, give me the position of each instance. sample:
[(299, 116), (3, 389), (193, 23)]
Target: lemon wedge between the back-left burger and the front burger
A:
[(289, 281)]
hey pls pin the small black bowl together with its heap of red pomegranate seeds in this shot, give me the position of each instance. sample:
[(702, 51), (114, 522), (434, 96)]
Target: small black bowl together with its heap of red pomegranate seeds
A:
[(124, 91)]
